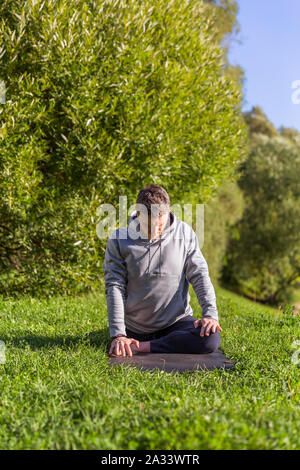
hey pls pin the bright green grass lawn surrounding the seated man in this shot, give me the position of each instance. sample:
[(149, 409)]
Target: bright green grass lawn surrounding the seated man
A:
[(58, 392)]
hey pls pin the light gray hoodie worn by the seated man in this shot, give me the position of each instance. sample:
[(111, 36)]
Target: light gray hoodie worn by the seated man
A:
[(147, 281)]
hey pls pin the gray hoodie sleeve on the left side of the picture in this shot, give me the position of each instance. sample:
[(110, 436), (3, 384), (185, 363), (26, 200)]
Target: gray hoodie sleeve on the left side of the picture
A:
[(115, 276)]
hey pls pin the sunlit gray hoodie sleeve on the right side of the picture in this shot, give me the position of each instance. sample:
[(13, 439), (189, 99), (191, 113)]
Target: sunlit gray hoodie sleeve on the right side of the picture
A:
[(196, 271)]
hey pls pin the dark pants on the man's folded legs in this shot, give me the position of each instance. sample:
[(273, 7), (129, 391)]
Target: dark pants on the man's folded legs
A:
[(181, 337)]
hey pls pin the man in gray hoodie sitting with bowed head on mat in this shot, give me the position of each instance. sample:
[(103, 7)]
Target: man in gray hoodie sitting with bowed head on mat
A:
[(148, 267)]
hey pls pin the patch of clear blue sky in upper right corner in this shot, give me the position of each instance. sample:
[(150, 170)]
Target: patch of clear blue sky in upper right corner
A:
[(270, 56)]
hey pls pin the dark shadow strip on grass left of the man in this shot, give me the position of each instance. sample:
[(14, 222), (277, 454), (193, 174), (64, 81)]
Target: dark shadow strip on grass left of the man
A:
[(95, 338)]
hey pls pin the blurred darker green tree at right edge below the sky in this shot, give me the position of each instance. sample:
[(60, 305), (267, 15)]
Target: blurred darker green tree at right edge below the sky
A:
[(263, 256)]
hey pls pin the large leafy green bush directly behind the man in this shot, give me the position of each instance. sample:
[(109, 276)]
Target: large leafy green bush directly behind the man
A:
[(102, 97)]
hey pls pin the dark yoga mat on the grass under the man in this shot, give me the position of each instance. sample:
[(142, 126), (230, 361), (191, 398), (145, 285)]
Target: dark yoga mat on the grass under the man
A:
[(175, 362)]
